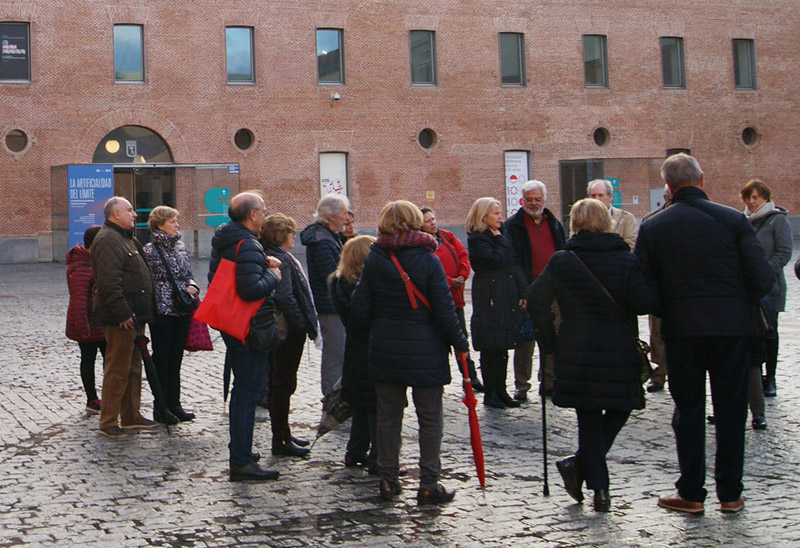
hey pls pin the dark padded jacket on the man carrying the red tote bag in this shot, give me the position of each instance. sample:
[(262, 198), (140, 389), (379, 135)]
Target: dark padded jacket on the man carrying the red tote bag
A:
[(253, 278)]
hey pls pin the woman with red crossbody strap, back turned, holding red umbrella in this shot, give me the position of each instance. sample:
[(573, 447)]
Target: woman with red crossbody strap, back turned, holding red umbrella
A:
[(404, 297)]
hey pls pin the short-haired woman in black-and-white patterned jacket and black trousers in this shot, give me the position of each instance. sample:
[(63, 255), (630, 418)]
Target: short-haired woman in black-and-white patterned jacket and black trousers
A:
[(166, 255)]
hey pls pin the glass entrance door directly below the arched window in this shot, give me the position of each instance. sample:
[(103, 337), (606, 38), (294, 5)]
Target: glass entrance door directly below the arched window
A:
[(145, 188)]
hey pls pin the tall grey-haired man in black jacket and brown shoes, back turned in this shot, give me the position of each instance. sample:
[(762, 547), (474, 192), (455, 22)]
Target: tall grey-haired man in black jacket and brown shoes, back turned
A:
[(710, 269)]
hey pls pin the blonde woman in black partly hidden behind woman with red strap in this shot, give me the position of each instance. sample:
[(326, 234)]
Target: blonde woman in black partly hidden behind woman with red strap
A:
[(358, 389)]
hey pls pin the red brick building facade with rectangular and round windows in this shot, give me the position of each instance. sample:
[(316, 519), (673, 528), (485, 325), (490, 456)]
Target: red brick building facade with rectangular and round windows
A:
[(443, 142)]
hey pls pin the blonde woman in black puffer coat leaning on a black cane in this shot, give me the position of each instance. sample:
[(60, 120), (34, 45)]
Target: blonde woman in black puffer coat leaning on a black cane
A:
[(597, 367)]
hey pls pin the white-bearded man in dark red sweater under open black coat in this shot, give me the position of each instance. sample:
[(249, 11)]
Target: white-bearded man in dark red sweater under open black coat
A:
[(535, 235)]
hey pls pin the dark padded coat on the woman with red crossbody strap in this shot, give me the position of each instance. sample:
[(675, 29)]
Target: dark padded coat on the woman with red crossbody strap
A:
[(406, 346)]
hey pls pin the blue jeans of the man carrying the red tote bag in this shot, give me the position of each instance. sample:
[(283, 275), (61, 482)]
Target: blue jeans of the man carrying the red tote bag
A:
[(248, 369)]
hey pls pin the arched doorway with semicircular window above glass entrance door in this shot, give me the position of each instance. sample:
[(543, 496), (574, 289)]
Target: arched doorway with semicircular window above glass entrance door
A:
[(138, 154)]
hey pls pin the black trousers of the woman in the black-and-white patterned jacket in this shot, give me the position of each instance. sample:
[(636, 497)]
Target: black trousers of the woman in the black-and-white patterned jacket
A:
[(168, 336)]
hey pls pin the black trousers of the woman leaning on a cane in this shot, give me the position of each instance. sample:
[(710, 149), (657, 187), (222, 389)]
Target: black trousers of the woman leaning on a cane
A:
[(597, 430)]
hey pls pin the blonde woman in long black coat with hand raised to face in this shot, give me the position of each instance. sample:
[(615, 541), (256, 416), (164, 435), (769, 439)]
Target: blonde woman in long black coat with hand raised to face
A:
[(497, 289)]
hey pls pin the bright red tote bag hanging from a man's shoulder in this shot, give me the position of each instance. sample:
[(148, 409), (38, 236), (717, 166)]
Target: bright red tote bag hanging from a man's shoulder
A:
[(222, 308)]
